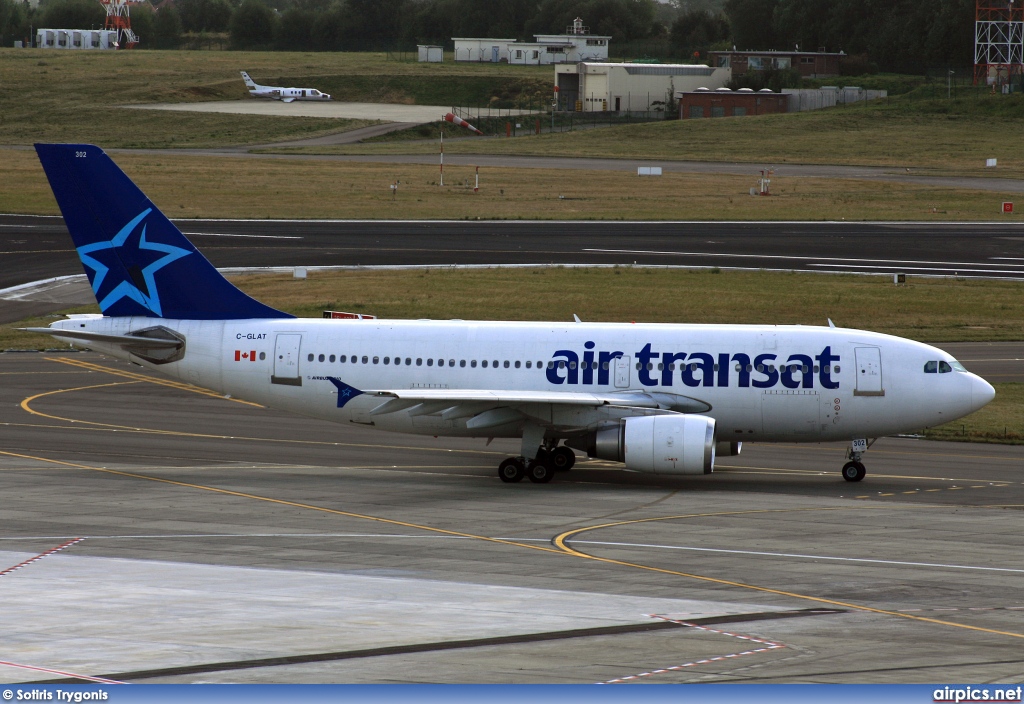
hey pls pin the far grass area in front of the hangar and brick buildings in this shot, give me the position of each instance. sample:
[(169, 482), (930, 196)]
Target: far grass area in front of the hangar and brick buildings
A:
[(905, 134)]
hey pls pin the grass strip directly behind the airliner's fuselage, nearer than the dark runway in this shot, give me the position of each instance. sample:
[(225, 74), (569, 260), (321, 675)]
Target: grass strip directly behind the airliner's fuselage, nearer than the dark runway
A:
[(929, 311)]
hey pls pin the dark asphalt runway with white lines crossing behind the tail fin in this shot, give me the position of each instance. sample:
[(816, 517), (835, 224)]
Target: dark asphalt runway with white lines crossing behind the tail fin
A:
[(33, 248)]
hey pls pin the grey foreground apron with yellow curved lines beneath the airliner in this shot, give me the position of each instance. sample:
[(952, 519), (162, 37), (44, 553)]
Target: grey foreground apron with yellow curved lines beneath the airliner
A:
[(205, 540)]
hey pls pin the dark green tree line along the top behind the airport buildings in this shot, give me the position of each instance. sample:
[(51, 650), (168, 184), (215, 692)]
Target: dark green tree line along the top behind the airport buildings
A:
[(888, 35)]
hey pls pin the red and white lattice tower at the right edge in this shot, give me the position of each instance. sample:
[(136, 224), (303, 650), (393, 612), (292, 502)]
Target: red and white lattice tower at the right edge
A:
[(999, 41)]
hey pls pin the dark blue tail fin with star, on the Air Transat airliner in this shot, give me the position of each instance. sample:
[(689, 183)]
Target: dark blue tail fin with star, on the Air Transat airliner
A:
[(138, 261)]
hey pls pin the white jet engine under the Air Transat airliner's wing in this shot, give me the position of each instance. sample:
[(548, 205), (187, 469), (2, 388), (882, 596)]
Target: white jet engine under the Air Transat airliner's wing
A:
[(661, 445)]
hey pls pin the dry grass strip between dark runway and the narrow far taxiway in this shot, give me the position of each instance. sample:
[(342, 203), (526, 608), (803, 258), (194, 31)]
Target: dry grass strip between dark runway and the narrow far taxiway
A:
[(194, 188)]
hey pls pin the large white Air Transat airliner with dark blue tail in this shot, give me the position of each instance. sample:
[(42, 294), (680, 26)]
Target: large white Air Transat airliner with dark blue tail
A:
[(660, 399)]
